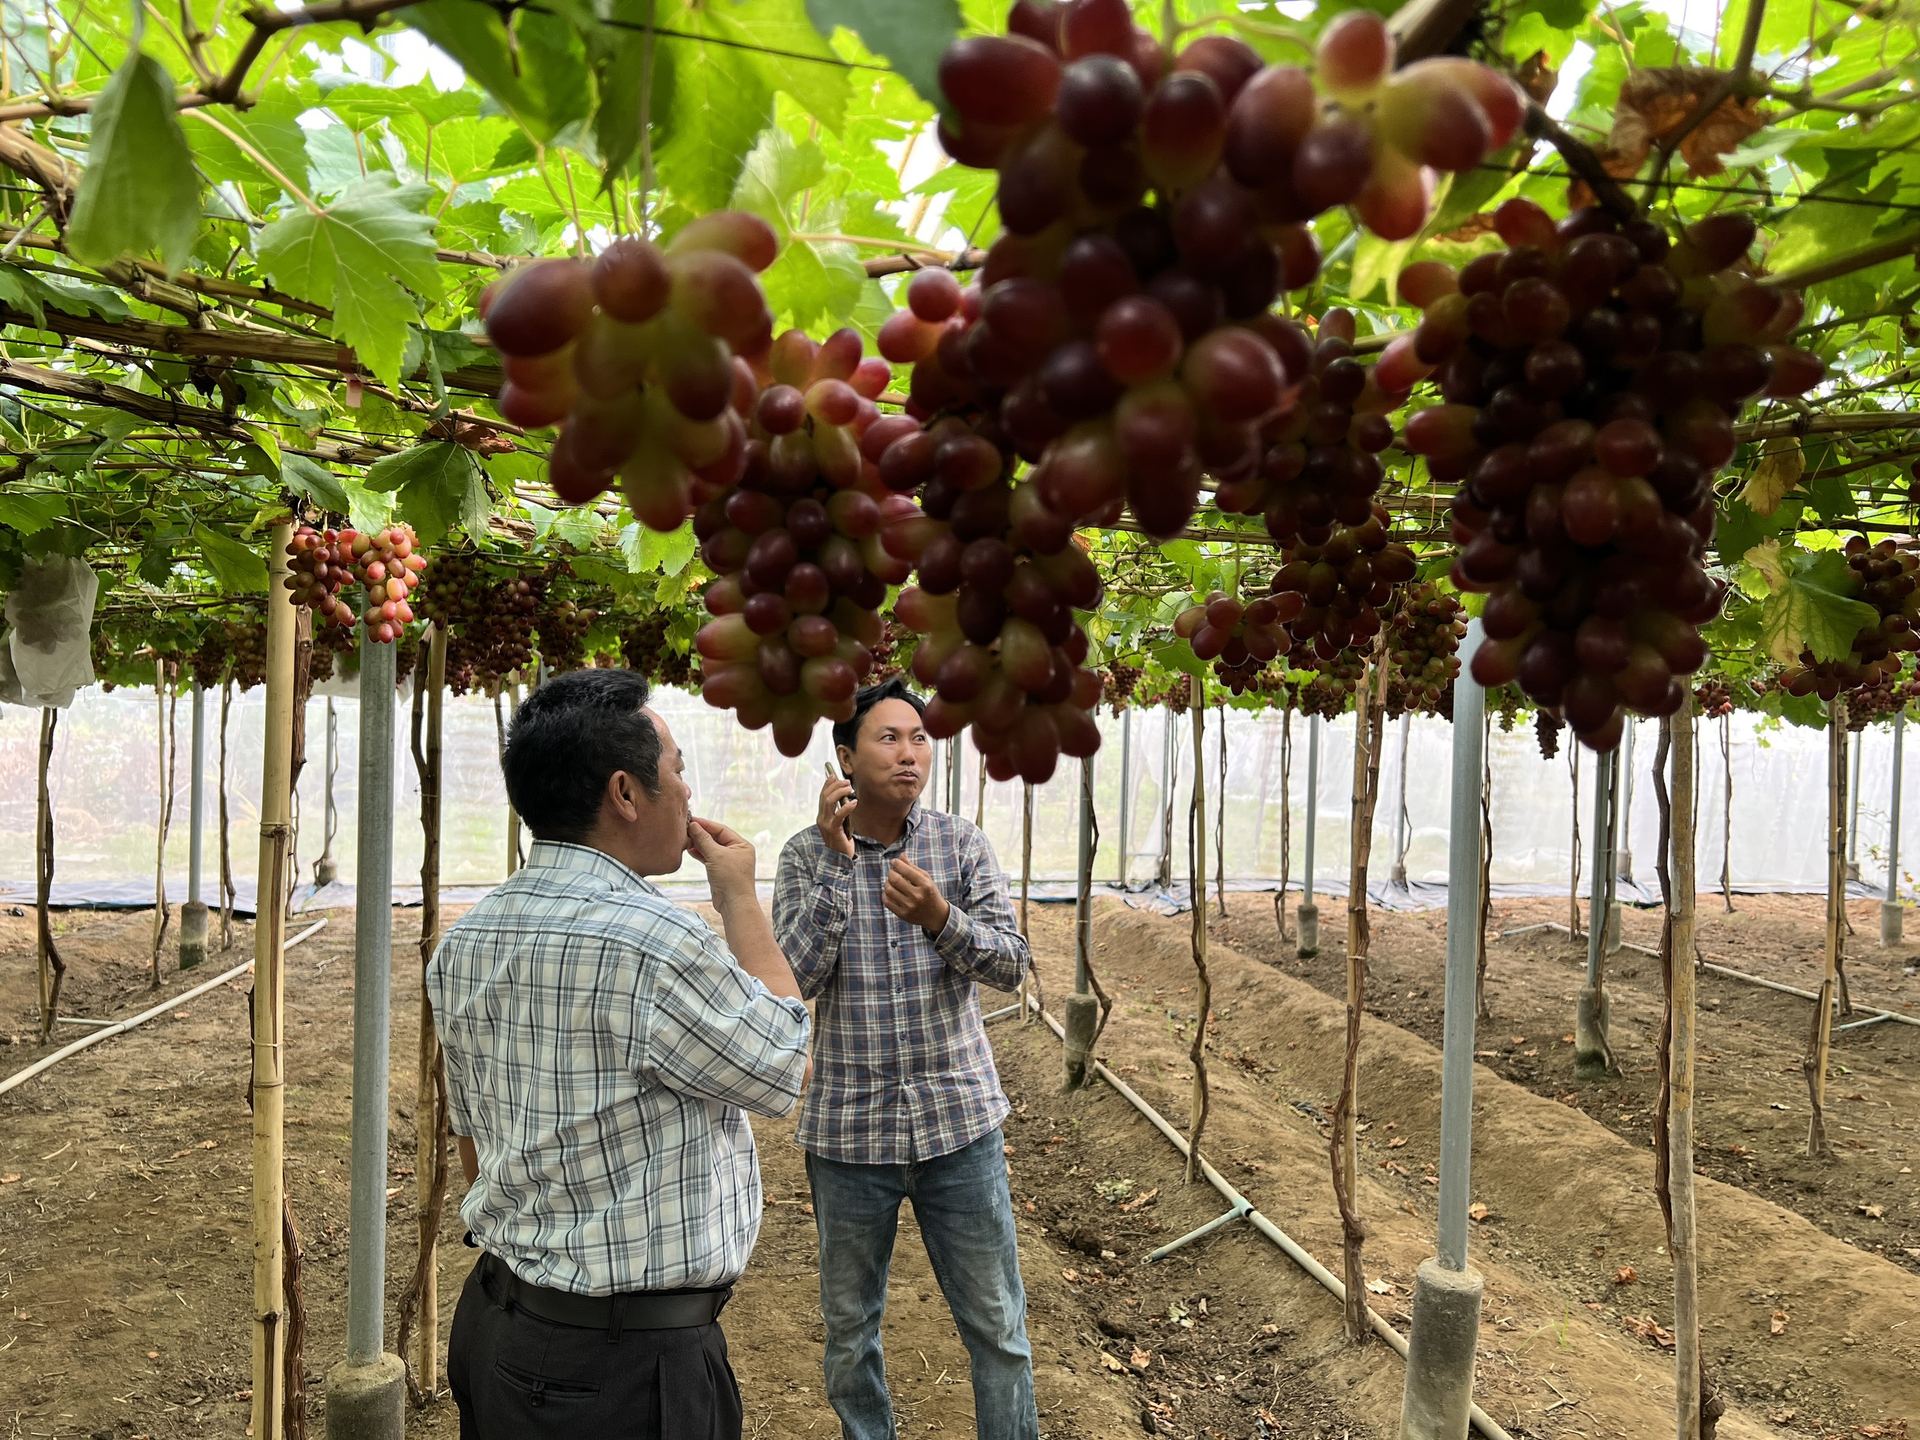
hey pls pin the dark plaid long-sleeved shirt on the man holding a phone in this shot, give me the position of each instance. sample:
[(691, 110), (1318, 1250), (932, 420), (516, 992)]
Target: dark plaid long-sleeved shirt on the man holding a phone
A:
[(901, 1059)]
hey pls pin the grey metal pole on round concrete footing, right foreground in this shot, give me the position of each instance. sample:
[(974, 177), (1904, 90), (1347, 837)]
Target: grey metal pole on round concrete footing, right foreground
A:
[(1447, 1293)]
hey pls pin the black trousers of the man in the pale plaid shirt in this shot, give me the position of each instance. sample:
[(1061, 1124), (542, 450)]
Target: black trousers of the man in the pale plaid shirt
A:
[(519, 1378)]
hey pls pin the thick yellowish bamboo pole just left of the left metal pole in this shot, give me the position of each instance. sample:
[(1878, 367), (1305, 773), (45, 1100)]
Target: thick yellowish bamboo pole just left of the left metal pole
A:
[(270, 940)]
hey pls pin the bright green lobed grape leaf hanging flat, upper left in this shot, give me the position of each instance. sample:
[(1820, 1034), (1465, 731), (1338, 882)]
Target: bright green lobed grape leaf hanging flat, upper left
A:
[(356, 256)]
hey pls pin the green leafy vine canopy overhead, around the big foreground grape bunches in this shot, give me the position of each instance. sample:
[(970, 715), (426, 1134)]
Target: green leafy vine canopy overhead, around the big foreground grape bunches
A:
[(243, 256)]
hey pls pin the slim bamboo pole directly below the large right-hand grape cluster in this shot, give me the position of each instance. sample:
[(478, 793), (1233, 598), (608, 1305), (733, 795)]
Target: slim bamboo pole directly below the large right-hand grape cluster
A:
[(1683, 1245)]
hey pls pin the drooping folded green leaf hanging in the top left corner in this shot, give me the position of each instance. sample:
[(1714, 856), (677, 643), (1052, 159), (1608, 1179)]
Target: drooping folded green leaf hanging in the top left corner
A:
[(139, 191)]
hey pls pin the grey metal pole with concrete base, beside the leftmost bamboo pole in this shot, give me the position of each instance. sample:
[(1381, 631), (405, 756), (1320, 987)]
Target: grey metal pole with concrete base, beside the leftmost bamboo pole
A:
[(373, 951)]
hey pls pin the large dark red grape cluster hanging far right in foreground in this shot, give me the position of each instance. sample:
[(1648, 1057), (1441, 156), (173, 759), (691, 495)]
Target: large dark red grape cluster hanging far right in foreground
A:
[(1591, 377)]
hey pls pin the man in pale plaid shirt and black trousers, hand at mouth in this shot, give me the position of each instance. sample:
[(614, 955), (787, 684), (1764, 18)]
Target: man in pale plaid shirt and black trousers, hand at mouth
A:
[(604, 1047)]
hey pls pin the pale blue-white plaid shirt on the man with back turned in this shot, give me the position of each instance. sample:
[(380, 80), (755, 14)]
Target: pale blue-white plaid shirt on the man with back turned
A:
[(602, 1049)]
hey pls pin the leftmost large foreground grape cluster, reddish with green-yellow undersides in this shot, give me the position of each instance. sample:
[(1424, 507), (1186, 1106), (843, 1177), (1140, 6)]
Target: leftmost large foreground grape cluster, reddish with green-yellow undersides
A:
[(636, 356)]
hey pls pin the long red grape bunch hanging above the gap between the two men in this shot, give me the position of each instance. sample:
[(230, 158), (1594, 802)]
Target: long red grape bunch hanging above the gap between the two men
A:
[(796, 546)]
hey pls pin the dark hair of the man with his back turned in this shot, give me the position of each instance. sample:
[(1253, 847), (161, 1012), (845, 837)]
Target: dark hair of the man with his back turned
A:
[(567, 742)]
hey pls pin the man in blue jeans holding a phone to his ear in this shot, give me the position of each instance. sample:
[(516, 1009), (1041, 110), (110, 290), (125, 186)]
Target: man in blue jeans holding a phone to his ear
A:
[(892, 917)]
